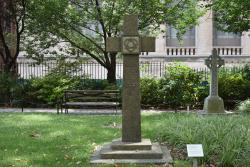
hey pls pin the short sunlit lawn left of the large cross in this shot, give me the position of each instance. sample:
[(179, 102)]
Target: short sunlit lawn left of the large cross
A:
[(52, 140)]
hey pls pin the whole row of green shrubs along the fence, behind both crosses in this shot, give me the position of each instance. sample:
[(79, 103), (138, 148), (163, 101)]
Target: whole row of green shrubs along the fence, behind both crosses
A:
[(181, 86)]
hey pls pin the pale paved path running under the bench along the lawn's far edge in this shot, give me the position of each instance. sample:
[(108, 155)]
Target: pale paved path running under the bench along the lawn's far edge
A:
[(77, 111)]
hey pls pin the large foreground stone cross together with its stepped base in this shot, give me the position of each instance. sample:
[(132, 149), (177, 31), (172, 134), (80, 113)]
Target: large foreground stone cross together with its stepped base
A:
[(131, 148)]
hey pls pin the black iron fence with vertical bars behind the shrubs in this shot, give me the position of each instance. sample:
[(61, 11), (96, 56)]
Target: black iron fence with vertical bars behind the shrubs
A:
[(96, 71)]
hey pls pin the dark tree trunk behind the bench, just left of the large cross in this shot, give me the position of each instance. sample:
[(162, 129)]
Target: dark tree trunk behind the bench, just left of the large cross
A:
[(111, 76)]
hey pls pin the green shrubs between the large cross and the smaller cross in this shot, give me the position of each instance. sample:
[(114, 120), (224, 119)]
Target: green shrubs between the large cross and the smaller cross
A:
[(181, 86)]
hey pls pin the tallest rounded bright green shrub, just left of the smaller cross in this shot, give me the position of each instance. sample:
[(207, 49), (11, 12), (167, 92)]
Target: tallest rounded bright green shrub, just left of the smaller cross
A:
[(179, 86)]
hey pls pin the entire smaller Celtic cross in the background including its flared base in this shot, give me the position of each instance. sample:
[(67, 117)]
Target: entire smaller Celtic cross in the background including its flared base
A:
[(213, 103)]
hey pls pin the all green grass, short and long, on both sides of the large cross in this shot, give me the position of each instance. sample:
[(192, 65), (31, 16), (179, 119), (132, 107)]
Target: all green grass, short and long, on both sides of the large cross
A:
[(50, 140)]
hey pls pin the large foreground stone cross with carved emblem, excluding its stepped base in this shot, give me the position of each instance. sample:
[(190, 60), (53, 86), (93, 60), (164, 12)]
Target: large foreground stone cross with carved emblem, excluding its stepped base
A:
[(131, 45)]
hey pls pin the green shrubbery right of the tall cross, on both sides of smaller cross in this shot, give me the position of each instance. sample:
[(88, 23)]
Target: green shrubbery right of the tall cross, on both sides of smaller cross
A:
[(182, 86)]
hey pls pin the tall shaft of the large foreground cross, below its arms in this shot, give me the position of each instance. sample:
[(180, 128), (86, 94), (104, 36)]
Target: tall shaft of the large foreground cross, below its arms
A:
[(131, 106)]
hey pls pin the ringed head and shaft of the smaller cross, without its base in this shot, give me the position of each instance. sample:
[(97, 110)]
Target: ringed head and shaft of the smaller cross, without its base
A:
[(214, 62)]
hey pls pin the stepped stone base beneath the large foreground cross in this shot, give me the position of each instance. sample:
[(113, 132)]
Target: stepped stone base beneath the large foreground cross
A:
[(127, 152)]
